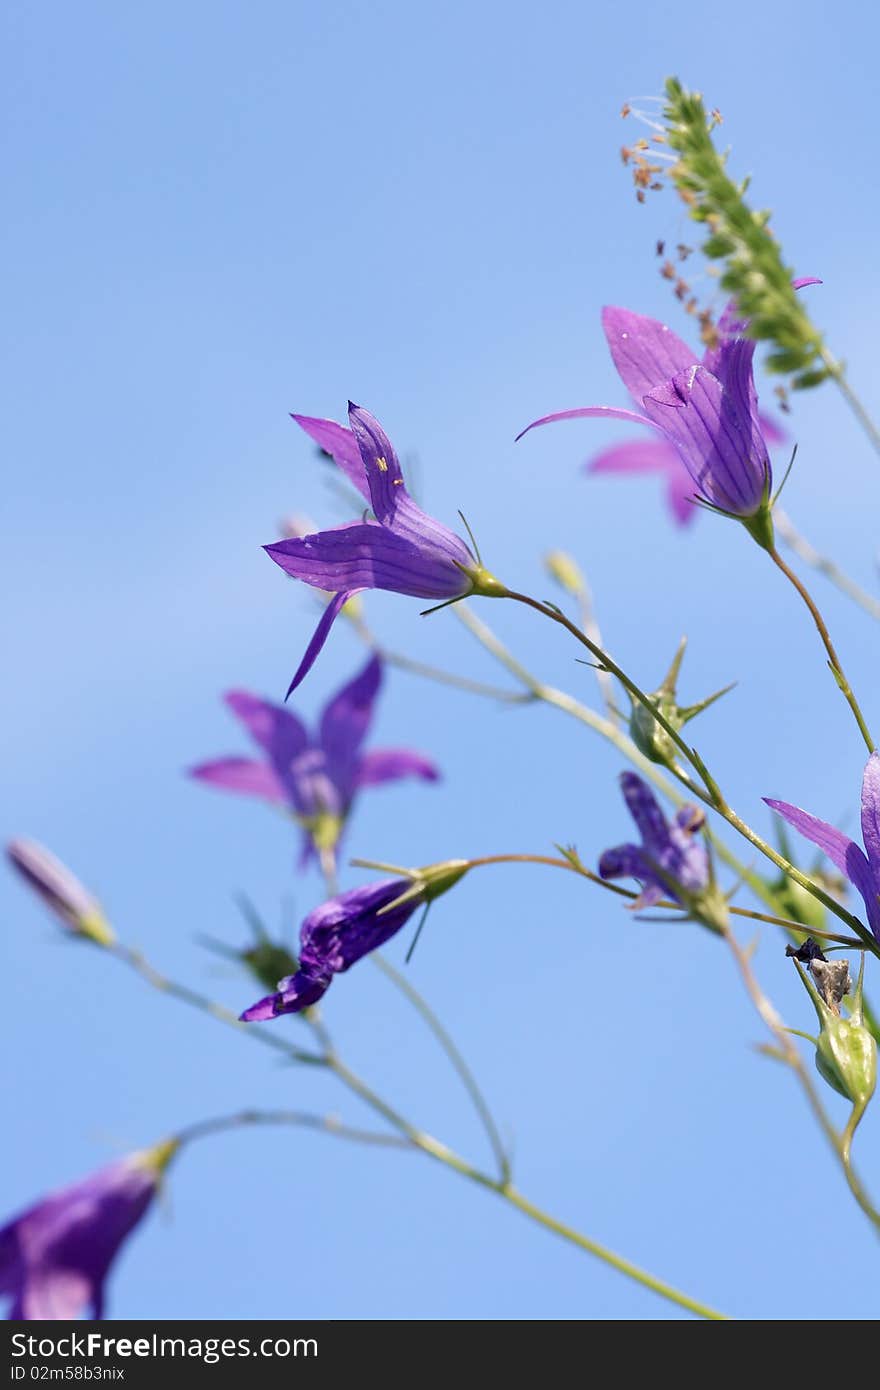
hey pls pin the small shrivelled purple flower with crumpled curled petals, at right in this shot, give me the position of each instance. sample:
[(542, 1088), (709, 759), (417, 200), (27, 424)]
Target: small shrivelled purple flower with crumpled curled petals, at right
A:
[(671, 862)]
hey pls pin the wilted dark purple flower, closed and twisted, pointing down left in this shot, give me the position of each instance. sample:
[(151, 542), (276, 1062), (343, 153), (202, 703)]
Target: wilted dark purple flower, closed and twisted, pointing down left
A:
[(336, 936)]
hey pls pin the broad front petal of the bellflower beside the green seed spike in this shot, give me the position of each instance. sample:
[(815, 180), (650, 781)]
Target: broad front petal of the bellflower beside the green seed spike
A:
[(714, 440)]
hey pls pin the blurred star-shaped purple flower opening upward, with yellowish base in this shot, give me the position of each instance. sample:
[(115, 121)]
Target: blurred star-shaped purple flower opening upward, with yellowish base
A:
[(316, 776)]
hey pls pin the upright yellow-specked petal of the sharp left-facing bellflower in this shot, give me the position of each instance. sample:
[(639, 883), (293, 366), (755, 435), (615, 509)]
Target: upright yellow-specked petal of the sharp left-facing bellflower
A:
[(393, 504)]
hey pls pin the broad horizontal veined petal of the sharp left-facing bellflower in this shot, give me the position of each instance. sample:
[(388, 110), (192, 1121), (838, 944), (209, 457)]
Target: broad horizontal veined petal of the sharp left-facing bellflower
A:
[(369, 557)]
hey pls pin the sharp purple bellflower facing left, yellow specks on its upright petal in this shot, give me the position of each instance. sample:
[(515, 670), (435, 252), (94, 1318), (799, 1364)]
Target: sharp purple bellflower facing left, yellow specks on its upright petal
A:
[(400, 548)]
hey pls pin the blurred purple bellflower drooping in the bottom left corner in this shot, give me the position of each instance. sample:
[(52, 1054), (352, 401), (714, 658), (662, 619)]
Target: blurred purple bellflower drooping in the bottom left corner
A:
[(56, 1256)]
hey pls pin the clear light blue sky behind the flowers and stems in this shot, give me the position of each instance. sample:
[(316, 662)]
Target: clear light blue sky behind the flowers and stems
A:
[(220, 213)]
